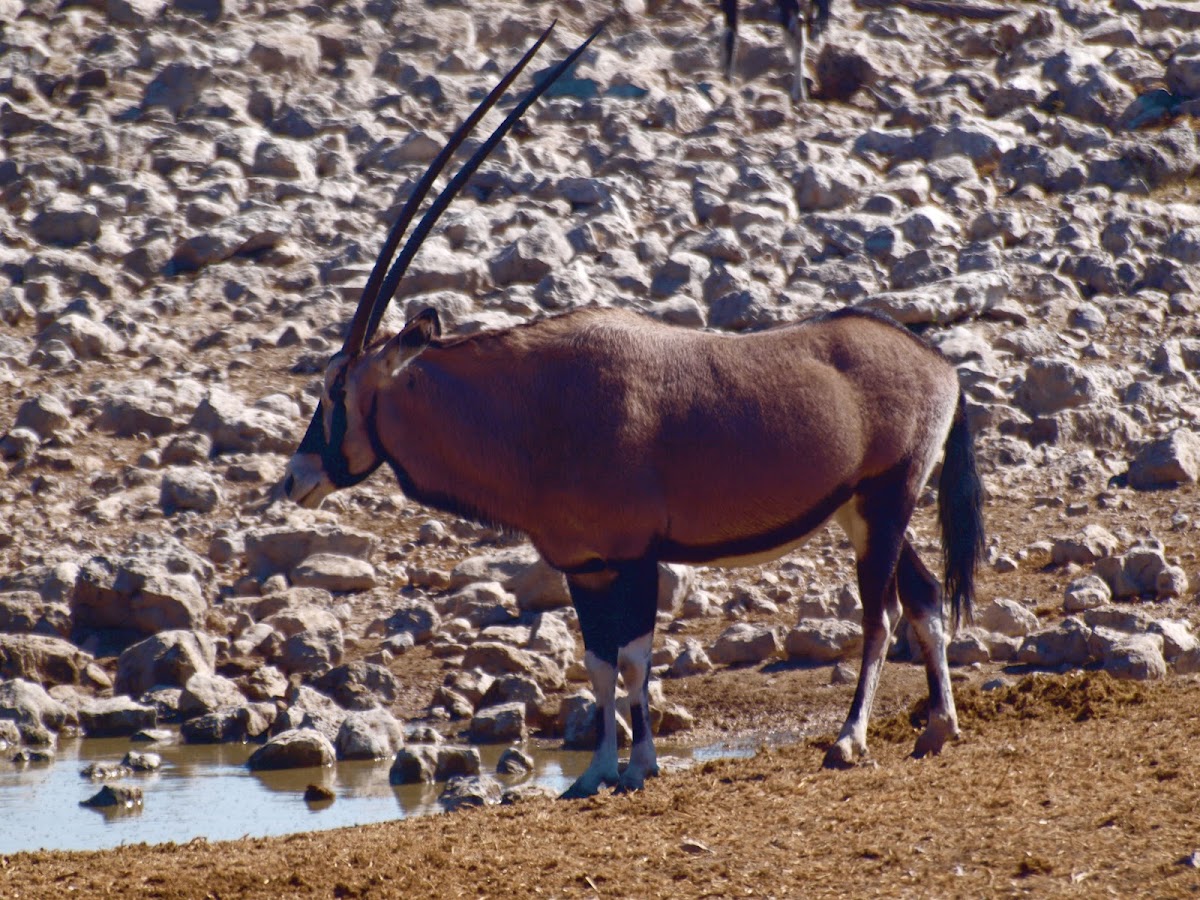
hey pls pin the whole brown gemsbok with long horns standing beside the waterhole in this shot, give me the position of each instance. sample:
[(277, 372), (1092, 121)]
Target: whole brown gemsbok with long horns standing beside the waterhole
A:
[(616, 442)]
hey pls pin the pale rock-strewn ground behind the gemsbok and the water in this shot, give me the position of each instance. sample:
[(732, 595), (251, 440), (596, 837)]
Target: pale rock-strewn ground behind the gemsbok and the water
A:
[(193, 194)]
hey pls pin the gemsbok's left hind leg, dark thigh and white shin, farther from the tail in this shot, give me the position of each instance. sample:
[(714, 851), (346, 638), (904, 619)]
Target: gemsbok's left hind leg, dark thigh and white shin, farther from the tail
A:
[(875, 525)]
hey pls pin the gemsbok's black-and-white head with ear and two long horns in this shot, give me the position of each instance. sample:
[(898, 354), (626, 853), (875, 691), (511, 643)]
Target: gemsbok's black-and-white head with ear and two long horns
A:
[(340, 449)]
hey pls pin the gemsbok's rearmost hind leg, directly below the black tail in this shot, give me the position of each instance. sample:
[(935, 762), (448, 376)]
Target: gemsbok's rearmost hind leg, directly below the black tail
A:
[(922, 598)]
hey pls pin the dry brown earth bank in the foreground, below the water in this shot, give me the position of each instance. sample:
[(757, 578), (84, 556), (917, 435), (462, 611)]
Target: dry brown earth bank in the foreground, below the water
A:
[(1073, 785)]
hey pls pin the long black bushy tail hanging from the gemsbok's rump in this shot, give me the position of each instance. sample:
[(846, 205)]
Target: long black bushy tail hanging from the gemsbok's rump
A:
[(961, 515)]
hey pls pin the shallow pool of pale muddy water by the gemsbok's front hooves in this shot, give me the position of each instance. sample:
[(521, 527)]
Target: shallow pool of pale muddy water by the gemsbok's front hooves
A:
[(207, 791)]
